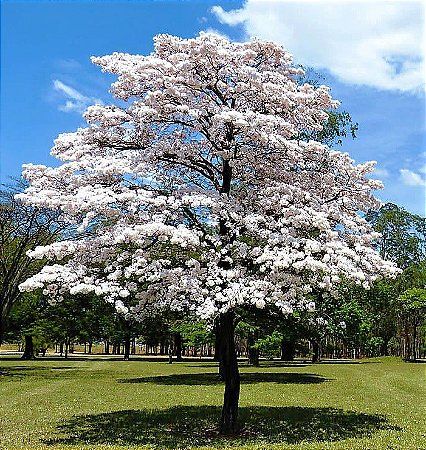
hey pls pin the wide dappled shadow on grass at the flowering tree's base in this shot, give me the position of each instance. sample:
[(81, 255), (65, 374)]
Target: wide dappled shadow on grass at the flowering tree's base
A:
[(196, 426)]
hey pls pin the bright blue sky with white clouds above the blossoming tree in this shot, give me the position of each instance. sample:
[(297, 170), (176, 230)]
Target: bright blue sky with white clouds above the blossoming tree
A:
[(370, 55)]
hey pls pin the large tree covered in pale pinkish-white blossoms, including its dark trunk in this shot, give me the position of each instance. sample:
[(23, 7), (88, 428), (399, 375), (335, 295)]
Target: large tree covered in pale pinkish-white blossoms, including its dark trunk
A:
[(199, 193)]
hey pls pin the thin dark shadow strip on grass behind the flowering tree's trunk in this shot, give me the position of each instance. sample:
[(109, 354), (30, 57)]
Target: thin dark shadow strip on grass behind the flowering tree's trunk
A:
[(192, 379)]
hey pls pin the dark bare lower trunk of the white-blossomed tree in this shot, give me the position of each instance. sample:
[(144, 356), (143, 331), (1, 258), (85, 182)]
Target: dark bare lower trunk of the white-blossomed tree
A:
[(228, 420)]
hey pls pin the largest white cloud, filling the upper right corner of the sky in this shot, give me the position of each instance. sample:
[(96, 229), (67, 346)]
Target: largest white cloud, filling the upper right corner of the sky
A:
[(378, 43)]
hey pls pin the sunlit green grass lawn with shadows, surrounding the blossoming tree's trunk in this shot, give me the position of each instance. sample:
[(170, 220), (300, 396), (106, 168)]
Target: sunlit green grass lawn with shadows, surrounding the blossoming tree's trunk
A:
[(100, 403)]
